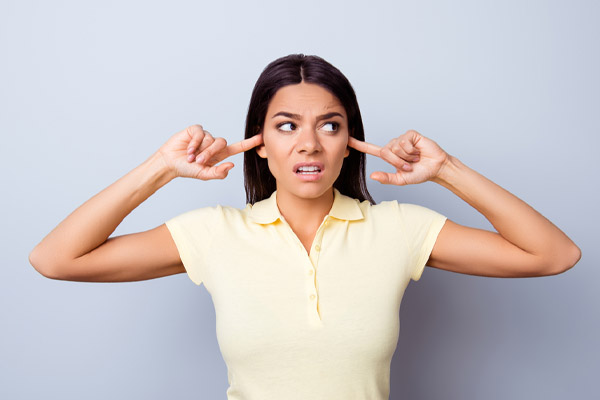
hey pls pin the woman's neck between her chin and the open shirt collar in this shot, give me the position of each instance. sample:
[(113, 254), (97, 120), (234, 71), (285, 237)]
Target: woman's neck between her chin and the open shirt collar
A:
[(303, 213)]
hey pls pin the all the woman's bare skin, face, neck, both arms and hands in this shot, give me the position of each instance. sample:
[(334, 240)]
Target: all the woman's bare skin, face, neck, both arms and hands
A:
[(525, 244)]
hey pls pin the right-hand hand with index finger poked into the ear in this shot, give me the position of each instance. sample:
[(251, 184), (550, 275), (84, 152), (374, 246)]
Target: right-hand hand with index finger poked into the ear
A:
[(416, 158)]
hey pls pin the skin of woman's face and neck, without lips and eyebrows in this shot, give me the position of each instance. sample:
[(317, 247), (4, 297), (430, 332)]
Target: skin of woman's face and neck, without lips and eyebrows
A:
[(288, 141)]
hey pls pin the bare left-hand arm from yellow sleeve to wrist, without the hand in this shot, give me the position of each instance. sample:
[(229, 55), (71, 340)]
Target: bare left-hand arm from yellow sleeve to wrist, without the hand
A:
[(79, 248)]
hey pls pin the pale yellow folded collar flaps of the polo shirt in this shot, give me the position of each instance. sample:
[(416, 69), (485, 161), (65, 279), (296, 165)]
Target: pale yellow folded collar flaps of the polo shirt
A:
[(344, 208)]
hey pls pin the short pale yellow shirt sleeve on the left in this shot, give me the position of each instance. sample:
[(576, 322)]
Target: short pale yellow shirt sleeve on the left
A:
[(191, 233)]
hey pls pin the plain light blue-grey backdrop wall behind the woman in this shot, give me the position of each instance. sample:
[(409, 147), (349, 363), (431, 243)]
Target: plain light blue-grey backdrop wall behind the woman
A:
[(88, 90)]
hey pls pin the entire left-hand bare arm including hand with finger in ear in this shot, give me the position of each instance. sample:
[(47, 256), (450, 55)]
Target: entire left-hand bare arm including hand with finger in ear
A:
[(79, 248)]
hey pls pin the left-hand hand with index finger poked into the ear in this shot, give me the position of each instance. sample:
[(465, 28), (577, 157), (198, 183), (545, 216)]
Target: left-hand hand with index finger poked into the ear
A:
[(194, 153)]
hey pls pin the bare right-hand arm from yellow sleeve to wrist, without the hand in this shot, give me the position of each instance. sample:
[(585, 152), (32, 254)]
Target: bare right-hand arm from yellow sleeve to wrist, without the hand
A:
[(526, 243)]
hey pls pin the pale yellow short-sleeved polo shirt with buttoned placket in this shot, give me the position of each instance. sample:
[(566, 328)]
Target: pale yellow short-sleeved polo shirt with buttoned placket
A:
[(292, 325)]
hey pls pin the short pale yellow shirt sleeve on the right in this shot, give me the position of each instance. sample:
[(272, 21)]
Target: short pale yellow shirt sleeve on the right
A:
[(421, 227)]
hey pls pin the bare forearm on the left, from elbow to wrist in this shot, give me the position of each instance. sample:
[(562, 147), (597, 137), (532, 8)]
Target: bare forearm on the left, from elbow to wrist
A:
[(92, 223)]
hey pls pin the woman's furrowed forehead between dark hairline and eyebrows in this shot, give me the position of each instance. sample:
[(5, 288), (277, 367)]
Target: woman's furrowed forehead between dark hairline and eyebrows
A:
[(304, 98)]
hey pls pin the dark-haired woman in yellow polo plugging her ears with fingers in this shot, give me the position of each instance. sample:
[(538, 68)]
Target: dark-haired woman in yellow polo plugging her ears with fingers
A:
[(307, 279)]
